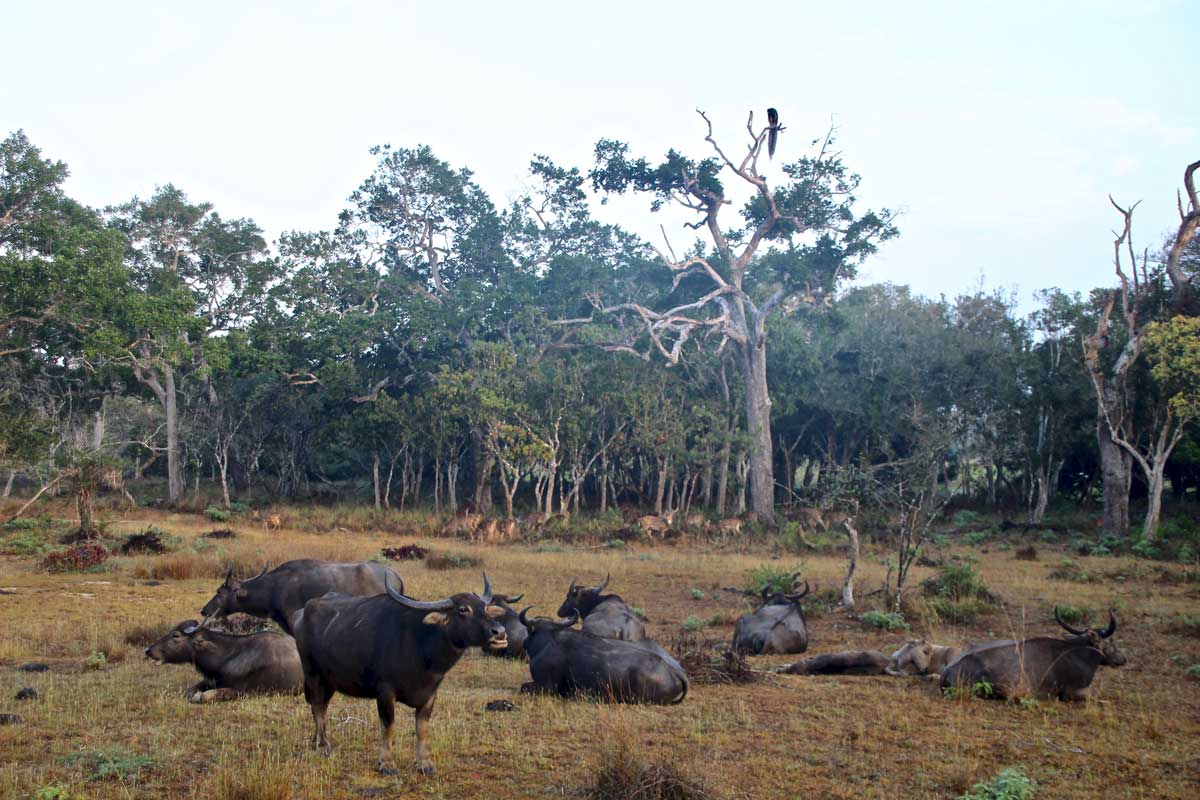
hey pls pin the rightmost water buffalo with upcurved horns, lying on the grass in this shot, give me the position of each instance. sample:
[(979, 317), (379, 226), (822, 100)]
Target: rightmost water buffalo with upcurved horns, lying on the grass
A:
[(1042, 667)]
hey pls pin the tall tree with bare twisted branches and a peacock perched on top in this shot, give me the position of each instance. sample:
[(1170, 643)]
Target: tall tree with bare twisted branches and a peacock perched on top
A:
[(791, 248)]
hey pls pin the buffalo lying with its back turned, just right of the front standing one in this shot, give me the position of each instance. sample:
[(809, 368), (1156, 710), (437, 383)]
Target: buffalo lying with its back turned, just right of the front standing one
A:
[(566, 661)]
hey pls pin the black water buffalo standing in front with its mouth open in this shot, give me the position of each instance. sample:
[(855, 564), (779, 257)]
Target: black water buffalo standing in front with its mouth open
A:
[(391, 648)]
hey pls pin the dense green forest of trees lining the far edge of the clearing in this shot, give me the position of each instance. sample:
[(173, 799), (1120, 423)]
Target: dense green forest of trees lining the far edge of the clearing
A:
[(434, 348)]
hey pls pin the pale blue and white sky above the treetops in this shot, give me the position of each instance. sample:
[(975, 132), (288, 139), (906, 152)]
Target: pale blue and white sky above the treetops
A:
[(997, 131)]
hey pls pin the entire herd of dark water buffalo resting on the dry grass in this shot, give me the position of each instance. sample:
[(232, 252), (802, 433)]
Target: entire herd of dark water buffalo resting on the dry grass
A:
[(351, 629)]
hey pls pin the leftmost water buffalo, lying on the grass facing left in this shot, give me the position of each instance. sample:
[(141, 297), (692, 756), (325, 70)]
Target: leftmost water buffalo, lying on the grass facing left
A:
[(231, 665)]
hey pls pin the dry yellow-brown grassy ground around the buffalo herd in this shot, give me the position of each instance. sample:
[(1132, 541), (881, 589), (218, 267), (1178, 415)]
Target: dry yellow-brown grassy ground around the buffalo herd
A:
[(784, 737)]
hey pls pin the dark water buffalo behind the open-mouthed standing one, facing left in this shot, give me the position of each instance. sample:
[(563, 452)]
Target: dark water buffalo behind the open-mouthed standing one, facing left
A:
[(283, 592)]
